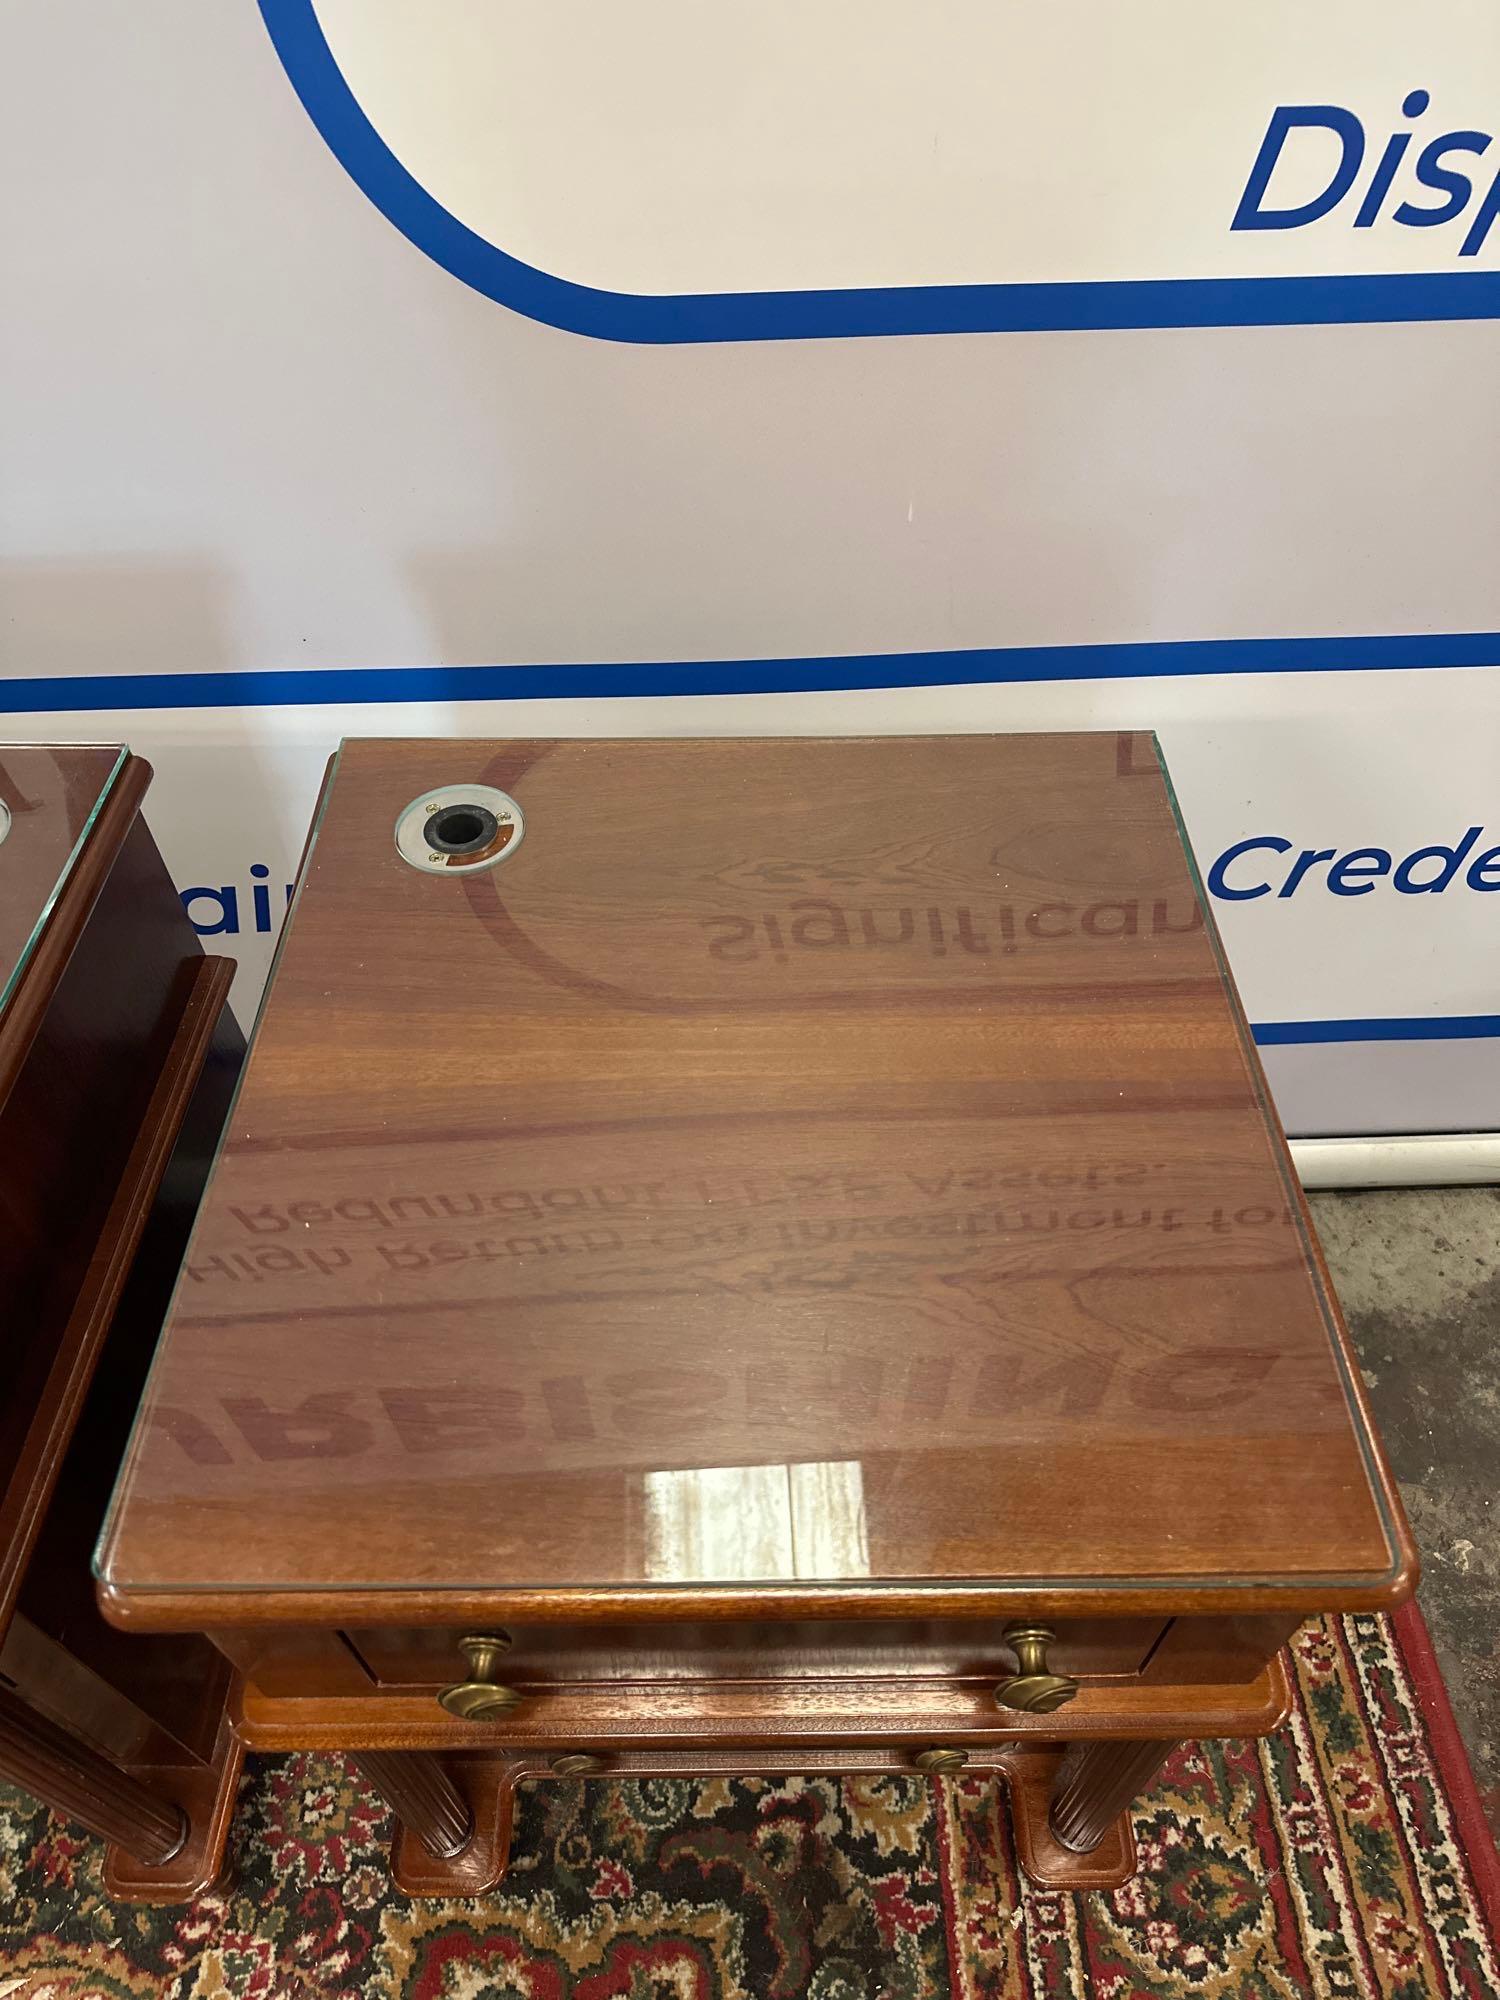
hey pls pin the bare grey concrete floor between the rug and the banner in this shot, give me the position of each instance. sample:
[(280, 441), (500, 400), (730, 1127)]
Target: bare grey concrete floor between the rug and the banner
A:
[(1419, 1275)]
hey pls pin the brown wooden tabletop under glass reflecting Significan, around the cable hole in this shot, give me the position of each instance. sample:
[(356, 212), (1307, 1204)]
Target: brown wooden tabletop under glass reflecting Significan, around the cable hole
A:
[(799, 1167)]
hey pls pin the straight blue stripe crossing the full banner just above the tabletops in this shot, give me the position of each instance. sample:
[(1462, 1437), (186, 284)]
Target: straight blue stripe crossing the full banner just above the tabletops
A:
[(815, 675)]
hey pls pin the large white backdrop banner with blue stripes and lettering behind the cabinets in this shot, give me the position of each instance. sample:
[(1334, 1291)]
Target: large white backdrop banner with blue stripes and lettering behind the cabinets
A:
[(375, 367)]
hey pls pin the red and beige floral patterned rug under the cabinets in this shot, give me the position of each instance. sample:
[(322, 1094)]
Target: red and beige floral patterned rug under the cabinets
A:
[(1329, 1861)]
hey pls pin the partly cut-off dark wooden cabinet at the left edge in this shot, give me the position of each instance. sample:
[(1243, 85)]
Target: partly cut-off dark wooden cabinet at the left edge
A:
[(117, 1065)]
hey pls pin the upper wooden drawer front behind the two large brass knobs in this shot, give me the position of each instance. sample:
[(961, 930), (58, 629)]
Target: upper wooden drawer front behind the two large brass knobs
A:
[(1087, 1649)]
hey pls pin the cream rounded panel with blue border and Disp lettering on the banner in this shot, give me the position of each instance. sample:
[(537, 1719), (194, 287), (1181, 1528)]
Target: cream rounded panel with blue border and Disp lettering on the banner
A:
[(667, 171)]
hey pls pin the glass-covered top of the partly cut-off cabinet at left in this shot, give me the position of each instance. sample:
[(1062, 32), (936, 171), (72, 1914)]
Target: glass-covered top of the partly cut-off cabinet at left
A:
[(51, 797)]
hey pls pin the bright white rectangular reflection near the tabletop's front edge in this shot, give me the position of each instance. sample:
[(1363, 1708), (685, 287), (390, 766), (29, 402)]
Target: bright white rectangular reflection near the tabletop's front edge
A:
[(757, 1523)]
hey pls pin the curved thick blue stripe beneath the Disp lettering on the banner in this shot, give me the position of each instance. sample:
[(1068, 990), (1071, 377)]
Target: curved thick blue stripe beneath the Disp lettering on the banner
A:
[(821, 315)]
